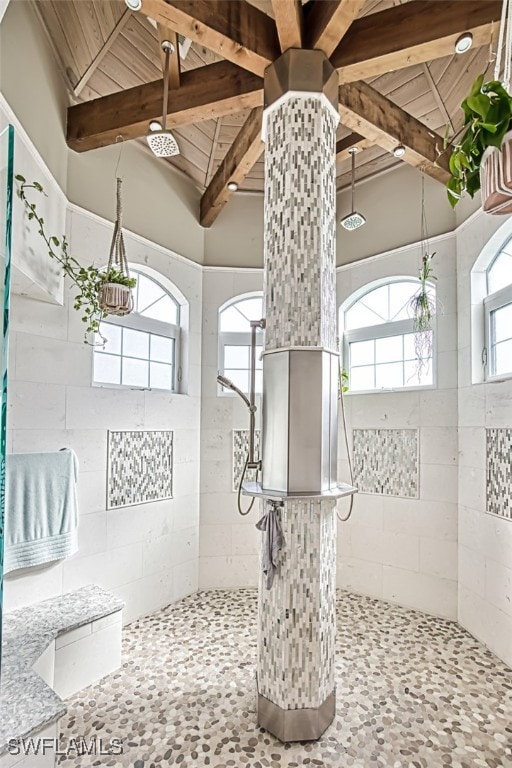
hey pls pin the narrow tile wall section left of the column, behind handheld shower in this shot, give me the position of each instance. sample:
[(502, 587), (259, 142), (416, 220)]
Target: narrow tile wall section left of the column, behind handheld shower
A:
[(229, 543)]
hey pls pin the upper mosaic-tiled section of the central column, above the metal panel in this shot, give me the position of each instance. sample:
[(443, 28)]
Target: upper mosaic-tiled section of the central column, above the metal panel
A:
[(300, 223)]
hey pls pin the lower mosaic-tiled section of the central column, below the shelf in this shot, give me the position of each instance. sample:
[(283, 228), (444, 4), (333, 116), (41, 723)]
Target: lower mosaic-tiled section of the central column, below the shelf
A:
[(297, 617)]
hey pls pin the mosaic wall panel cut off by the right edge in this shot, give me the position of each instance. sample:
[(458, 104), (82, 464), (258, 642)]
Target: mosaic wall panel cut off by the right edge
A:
[(499, 472)]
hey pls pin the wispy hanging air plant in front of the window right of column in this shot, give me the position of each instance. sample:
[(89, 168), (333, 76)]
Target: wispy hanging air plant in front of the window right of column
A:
[(423, 308)]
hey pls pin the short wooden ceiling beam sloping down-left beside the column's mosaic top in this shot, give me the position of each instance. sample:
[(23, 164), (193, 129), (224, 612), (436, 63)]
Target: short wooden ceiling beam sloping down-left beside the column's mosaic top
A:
[(239, 159)]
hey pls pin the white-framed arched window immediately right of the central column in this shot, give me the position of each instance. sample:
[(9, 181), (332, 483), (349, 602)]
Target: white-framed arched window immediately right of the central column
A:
[(379, 340)]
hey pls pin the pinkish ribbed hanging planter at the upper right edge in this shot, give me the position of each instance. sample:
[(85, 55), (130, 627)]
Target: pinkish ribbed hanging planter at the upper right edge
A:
[(496, 178)]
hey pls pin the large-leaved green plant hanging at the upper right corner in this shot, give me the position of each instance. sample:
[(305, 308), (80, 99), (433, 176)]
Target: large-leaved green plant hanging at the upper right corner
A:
[(487, 118)]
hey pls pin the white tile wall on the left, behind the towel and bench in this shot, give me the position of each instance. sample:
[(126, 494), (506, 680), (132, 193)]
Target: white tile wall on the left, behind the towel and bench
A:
[(147, 554)]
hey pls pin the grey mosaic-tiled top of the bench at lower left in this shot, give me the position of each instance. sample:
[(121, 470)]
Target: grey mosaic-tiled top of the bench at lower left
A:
[(27, 703)]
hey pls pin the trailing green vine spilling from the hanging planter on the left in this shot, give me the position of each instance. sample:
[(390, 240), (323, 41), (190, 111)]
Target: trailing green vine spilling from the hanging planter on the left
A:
[(86, 280)]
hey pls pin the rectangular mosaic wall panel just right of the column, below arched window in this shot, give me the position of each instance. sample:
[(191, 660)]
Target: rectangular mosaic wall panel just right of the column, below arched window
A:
[(386, 462)]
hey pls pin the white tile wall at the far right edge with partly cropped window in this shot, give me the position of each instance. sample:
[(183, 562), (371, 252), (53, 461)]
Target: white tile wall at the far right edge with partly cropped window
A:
[(485, 409)]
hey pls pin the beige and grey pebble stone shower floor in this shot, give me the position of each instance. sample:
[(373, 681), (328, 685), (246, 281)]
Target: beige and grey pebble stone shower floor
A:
[(412, 691)]
